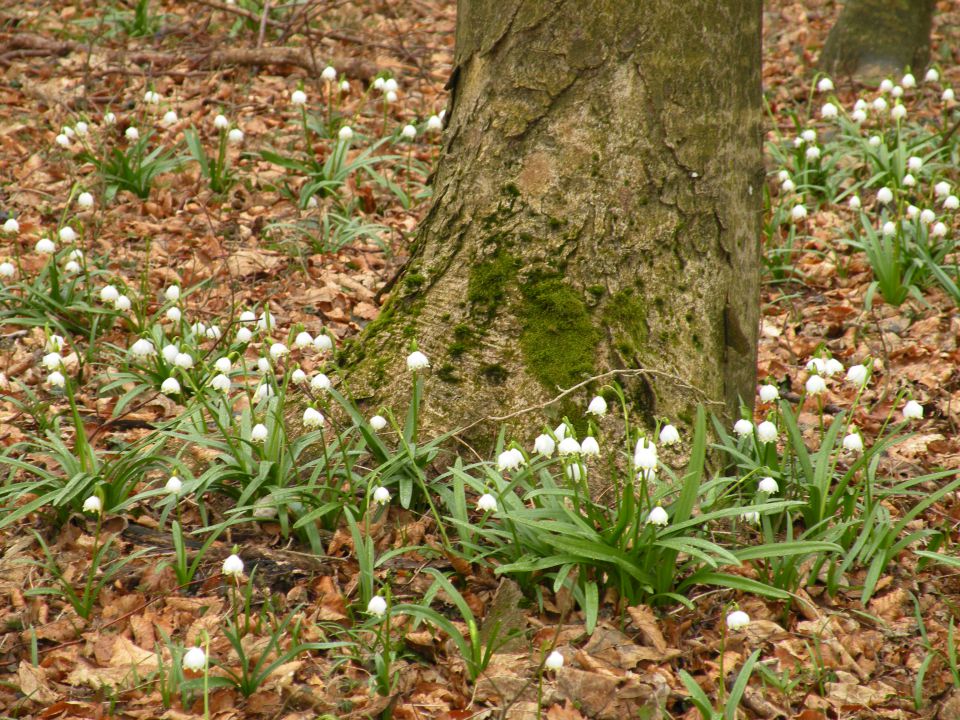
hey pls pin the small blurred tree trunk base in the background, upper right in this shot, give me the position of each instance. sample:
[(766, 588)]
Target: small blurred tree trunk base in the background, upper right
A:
[(874, 39)]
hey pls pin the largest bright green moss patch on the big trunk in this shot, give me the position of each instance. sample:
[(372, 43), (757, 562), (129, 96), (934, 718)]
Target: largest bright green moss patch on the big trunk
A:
[(558, 340)]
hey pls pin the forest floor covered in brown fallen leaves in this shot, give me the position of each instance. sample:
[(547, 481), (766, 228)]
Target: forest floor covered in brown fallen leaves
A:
[(325, 267)]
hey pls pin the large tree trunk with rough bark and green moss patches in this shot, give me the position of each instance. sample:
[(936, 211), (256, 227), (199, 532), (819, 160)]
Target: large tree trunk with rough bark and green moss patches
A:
[(597, 206)]
